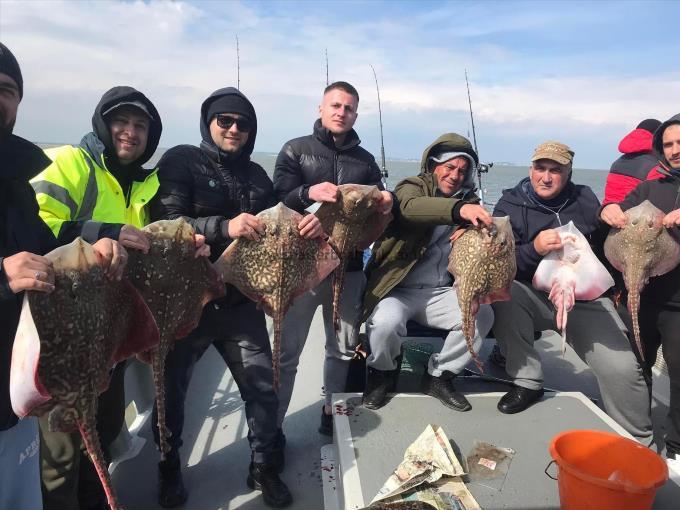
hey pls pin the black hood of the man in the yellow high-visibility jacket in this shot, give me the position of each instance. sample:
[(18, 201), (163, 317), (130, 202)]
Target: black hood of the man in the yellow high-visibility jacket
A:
[(101, 130)]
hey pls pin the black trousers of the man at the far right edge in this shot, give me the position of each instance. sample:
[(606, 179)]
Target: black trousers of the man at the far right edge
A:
[(660, 326)]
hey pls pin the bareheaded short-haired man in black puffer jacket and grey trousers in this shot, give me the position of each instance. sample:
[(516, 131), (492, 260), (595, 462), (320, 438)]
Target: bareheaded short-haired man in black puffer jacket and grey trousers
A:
[(309, 169)]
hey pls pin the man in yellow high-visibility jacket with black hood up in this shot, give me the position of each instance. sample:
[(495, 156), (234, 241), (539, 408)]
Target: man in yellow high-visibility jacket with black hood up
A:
[(97, 190)]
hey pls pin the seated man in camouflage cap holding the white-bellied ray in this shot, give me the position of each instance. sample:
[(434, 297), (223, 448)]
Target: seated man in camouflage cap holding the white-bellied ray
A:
[(536, 206)]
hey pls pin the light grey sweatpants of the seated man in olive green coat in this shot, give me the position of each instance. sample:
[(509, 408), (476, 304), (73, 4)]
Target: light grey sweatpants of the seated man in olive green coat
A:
[(432, 307)]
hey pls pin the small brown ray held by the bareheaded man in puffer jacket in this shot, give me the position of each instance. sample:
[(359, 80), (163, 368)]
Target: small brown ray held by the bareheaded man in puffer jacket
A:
[(353, 223)]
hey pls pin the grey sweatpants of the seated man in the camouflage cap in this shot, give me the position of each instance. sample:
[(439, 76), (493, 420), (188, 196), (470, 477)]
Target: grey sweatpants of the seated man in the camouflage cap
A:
[(599, 337)]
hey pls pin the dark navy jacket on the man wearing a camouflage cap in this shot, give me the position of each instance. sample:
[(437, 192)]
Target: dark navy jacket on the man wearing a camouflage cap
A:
[(528, 219)]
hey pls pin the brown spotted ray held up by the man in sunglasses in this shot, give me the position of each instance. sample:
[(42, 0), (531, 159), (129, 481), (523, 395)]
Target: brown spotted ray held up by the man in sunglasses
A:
[(276, 269)]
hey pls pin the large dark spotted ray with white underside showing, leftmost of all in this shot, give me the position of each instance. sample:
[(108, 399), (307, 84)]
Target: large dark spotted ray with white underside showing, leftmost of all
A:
[(68, 341)]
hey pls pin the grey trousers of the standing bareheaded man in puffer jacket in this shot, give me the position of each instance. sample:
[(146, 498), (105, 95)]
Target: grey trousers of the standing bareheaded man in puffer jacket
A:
[(339, 345)]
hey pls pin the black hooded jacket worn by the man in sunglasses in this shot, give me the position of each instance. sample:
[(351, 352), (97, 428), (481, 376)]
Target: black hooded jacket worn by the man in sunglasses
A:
[(207, 187)]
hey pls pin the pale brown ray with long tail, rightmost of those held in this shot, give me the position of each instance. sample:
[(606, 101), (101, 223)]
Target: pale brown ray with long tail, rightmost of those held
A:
[(640, 250)]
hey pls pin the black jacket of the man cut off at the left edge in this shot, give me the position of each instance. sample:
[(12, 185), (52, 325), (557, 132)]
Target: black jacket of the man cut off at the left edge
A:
[(21, 229)]
